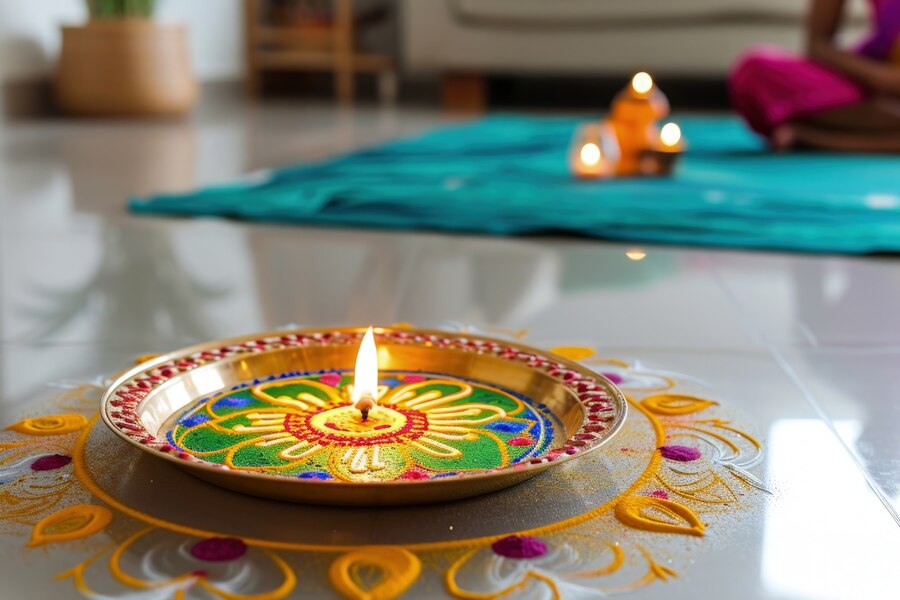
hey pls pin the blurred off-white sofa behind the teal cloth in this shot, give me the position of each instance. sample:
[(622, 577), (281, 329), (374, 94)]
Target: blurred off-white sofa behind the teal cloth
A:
[(590, 37)]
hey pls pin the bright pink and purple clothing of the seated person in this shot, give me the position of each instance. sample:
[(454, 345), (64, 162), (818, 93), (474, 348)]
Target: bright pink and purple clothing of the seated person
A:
[(770, 87)]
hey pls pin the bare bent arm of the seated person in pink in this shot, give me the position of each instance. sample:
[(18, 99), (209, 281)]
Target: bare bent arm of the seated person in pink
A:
[(824, 20)]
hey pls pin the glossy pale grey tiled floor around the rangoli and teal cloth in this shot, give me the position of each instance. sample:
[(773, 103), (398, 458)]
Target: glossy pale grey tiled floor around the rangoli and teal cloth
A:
[(806, 347)]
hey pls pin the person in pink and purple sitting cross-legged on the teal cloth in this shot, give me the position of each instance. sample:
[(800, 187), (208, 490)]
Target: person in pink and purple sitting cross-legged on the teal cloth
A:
[(833, 99)]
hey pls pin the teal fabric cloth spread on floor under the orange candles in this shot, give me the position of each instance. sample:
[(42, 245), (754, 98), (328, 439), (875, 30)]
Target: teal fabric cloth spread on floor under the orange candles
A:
[(508, 175)]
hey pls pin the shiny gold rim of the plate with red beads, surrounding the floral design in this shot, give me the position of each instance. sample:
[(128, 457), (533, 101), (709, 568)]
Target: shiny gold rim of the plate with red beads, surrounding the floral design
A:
[(138, 405)]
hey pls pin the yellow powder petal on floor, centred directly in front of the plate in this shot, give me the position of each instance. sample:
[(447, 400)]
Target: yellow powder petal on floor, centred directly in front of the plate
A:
[(374, 572)]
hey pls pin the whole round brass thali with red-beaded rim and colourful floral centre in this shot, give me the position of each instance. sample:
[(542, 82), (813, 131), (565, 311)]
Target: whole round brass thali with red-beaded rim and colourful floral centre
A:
[(458, 415)]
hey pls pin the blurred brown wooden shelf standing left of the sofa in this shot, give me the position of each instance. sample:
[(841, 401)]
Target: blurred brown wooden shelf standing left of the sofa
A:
[(320, 47)]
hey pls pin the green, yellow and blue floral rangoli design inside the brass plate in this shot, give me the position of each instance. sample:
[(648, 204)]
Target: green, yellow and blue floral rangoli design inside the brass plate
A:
[(304, 425)]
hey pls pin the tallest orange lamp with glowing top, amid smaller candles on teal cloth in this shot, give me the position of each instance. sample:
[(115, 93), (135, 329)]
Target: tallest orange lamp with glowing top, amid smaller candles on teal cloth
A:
[(635, 111)]
